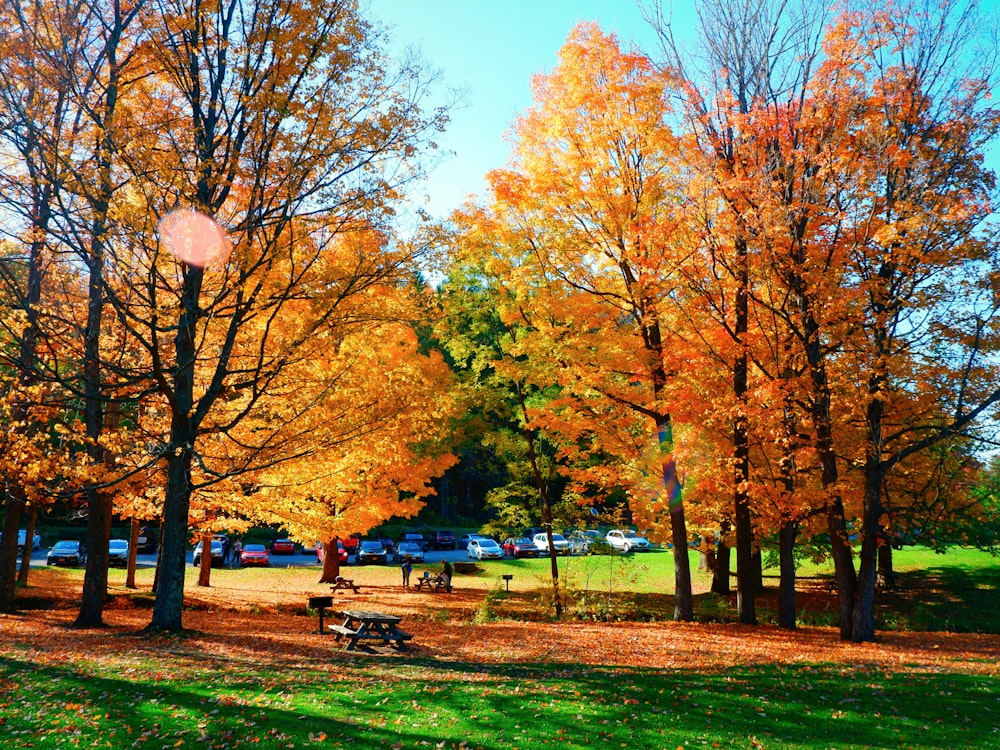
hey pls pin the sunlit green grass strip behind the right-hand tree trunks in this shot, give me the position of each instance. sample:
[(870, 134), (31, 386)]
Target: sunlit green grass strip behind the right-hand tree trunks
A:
[(958, 591)]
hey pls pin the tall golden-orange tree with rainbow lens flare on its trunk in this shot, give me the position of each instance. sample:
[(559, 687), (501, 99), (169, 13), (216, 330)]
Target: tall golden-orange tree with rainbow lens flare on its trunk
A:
[(582, 221)]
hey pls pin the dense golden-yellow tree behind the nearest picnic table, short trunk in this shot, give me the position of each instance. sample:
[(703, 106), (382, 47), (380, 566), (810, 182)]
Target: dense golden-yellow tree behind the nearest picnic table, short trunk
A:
[(371, 445)]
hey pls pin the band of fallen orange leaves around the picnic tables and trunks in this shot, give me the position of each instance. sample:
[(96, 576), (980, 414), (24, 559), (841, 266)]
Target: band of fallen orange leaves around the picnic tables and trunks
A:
[(268, 623)]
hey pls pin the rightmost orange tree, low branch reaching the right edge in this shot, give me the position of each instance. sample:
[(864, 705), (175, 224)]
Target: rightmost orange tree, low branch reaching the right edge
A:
[(919, 257)]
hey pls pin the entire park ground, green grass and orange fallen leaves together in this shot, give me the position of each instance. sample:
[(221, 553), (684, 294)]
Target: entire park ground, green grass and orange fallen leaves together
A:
[(253, 672)]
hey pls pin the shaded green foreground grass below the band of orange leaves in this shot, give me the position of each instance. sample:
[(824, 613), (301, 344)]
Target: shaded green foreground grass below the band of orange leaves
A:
[(373, 702)]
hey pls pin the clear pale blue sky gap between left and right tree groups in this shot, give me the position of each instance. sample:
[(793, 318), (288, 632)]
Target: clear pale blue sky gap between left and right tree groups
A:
[(492, 48)]
